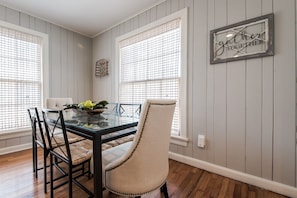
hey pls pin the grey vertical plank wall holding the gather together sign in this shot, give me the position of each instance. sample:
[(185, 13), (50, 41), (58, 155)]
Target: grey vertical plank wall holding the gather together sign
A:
[(245, 108)]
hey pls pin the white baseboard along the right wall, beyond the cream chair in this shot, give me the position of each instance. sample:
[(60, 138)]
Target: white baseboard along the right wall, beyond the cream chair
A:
[(243, 177)]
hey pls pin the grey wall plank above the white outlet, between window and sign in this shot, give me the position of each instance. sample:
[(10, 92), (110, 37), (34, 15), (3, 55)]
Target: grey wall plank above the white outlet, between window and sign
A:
[(199, 75)]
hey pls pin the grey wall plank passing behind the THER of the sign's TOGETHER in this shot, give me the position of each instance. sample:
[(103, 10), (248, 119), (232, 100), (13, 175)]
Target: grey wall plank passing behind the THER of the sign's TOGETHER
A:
[(253, 103)]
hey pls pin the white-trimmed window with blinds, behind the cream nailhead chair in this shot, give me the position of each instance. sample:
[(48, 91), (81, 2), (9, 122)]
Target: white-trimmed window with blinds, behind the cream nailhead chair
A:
[(152, 65)]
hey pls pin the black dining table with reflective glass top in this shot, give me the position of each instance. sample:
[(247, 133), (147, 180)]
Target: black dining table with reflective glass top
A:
[(100, 129)]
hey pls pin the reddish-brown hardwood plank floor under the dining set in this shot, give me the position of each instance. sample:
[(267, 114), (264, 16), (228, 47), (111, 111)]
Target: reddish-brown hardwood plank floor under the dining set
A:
[(17, 181)]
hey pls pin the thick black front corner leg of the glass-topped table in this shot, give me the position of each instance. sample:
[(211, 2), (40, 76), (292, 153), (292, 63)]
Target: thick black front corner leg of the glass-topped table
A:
[(97, 159)]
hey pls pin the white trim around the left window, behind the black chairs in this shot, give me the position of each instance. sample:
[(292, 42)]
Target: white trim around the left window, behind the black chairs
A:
[(44, 71)]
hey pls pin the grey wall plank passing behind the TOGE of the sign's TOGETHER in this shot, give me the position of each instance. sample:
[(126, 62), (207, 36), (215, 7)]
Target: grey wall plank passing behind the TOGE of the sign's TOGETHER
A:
[(236, 98)]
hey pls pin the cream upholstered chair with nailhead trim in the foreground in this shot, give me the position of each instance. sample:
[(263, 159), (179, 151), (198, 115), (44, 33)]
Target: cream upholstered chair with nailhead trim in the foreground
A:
[(141, 166)]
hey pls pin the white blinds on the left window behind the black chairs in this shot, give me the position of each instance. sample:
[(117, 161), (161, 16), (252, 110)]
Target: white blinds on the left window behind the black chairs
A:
[(20, 77)]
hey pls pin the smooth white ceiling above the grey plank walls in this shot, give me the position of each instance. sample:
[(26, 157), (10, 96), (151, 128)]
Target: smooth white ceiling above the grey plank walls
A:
[(88, 17)]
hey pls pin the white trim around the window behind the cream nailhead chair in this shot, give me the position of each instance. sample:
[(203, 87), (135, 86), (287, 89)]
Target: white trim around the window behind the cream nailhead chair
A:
[(183, 14)]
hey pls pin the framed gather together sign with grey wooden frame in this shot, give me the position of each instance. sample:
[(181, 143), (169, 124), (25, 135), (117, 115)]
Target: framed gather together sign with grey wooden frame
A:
[(248, 39)]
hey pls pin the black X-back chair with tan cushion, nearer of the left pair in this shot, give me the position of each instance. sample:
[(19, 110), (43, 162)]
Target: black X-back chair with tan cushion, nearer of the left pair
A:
[(74, 155)]
